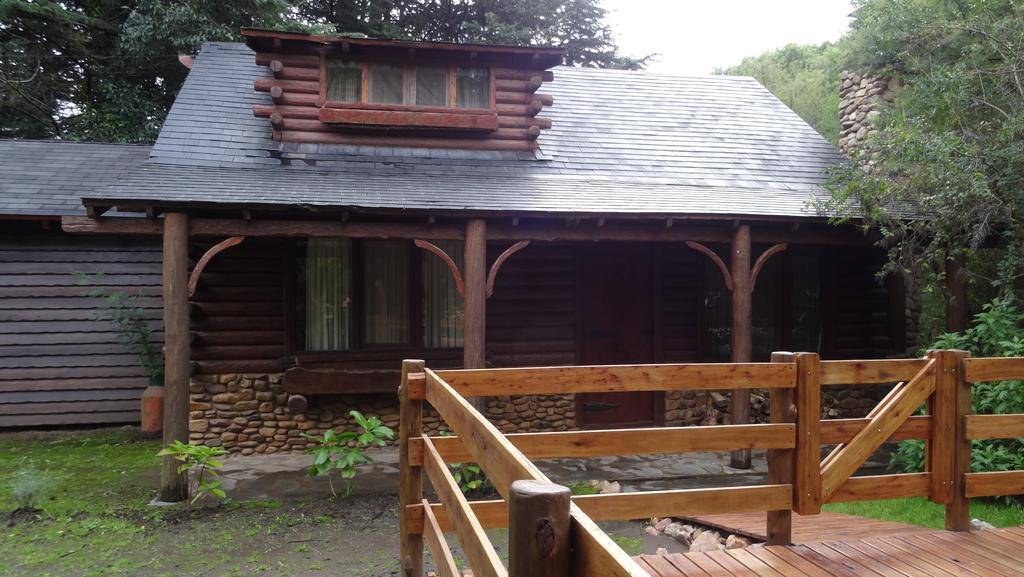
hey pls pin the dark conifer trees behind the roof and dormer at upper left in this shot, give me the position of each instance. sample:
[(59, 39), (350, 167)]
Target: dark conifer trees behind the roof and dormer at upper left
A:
[(108, 71)]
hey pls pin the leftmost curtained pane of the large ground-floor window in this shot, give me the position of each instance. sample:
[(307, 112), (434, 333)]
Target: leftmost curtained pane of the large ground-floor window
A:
[(329, 295)]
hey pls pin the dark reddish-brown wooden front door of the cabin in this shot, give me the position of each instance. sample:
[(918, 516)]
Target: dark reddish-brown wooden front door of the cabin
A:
[(618, 308)]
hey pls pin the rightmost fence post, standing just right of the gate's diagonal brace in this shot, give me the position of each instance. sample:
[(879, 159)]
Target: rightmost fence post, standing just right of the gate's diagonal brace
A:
[(958, 514)]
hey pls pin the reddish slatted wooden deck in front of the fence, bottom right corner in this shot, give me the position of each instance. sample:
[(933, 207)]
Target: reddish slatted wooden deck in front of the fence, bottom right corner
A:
[(984, 554)]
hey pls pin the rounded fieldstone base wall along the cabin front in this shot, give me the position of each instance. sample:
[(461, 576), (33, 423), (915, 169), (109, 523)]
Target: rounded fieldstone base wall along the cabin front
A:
[(248, 414)]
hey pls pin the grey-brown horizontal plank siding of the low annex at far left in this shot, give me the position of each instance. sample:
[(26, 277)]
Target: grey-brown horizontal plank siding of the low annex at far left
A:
[(60, 365)]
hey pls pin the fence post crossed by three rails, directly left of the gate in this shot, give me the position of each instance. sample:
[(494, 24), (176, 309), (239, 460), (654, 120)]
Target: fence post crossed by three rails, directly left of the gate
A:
[(782, 463)]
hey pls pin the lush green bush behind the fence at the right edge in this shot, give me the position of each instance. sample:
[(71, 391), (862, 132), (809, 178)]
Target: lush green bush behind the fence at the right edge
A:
[(995, 333)]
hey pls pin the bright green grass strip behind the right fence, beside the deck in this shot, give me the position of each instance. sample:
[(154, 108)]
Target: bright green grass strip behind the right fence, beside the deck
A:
[(918, 511)]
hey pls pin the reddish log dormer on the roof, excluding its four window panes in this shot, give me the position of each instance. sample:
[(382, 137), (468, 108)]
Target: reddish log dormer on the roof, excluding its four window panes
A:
[(303, 111)]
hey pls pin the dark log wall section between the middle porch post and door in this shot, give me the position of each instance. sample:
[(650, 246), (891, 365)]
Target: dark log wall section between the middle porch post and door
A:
[(532, 316)]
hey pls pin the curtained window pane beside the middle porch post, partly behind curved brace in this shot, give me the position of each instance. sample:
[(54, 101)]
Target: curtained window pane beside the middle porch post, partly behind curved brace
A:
[(443, 311)]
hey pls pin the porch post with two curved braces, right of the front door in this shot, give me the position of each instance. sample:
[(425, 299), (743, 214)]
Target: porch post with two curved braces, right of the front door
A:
[(740, 407)]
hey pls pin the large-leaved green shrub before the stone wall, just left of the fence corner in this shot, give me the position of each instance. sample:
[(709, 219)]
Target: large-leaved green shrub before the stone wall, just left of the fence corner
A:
[(344, 451)]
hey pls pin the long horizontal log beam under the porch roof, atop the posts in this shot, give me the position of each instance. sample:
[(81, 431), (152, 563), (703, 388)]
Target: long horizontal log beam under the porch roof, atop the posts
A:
[(704, 232)]
